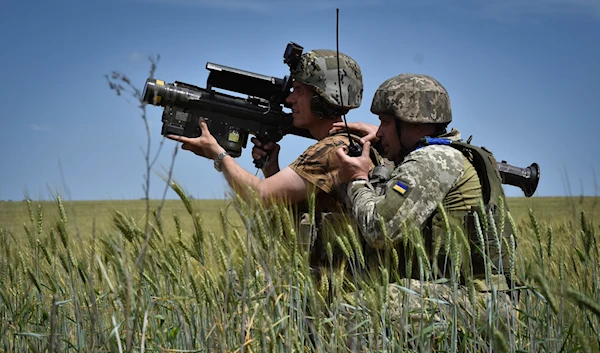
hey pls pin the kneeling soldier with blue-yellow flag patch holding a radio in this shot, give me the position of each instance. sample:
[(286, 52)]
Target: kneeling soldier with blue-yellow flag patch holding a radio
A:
[(431, 175)]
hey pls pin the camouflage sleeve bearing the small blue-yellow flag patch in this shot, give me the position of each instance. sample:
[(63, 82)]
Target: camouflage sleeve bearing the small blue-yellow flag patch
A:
[(412, 194)]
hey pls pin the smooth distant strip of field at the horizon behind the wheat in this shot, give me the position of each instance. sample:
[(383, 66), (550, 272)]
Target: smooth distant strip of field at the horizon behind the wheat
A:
[(558, 211)]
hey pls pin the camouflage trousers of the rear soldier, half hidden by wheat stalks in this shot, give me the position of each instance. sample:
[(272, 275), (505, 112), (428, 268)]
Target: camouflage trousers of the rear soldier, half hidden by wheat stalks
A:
[(418, 315)]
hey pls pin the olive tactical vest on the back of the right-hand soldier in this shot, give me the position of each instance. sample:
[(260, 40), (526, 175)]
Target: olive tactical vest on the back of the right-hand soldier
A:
[(495, 241)]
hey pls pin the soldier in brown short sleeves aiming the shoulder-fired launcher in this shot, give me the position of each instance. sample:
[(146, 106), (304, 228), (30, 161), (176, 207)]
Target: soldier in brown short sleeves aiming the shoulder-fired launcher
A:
[(317, 102)]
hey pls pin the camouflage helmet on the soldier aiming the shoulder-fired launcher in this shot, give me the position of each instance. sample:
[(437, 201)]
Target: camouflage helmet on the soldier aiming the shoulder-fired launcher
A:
[(318, 69)]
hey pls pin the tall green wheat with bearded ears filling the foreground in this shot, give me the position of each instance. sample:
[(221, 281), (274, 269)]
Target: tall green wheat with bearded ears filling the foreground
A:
[(247, 287)]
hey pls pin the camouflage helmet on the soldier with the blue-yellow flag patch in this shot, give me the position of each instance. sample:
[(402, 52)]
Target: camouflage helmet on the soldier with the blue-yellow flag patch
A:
[(413, 98)]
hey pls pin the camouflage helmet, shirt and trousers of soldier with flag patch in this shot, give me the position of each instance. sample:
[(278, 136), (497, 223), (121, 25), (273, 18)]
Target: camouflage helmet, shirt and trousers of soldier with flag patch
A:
[(429, 176)]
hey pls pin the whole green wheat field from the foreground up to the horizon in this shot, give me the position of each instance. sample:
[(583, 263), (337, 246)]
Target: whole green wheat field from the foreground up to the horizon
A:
[(207, 276)]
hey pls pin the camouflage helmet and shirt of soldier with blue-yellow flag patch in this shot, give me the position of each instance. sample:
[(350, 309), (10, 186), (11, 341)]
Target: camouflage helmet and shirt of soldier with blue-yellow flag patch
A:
[(428, 176)]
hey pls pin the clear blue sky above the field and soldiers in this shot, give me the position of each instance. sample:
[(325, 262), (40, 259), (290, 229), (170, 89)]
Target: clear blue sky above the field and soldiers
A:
[(523, 79)]
